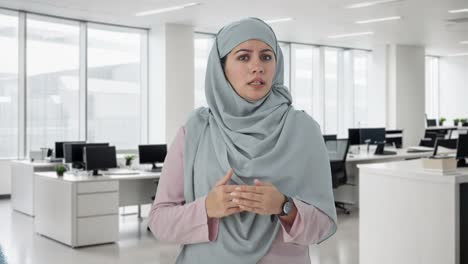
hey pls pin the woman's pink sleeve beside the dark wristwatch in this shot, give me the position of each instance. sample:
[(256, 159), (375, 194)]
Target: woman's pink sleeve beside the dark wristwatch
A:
[(308, 227)]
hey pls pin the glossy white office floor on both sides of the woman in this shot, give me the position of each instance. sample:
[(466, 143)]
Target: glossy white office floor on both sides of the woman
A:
[(21, 245)]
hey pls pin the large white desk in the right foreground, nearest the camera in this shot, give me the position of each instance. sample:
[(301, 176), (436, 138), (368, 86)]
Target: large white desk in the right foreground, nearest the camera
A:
[(409, 215)]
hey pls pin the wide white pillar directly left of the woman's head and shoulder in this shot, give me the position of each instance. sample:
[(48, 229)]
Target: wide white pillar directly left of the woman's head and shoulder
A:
[(171, 80)]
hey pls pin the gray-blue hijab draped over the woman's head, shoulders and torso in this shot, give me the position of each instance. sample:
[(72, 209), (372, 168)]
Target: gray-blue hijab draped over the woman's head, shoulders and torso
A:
[(265, 139)]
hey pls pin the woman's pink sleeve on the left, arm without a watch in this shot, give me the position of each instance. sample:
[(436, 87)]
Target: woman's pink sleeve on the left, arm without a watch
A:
[(171, 219)]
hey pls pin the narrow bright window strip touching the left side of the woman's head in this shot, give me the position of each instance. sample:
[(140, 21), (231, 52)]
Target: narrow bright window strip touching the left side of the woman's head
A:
[(203, 44)]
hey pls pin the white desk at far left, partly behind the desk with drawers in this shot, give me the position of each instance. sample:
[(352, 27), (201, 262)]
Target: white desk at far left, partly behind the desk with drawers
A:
[(22, 183)]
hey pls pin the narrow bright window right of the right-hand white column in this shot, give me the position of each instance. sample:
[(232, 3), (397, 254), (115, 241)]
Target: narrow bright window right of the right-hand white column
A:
[(432, 87)]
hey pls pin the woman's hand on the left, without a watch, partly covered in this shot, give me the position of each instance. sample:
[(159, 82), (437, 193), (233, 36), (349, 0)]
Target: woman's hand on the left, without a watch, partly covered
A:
[(219, 202)]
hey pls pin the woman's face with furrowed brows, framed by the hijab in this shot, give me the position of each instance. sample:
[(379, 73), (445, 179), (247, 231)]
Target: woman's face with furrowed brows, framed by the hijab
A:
[(250, 68)]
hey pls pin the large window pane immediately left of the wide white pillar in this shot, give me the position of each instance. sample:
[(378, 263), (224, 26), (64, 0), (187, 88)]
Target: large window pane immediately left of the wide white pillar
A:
[(114, 97)]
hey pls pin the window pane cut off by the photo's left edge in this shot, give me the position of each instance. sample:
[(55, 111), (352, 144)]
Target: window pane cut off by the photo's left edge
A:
[(8, 85)]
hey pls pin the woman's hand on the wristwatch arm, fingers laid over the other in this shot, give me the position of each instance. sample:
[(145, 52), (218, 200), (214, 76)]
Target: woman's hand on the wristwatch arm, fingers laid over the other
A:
[(263, 198)]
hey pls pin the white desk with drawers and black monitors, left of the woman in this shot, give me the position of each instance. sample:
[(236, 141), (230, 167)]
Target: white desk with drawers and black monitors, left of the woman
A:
[(84, 210)]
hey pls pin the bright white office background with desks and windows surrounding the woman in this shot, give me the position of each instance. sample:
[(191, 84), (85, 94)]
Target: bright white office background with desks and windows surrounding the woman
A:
[(384, 79)]
